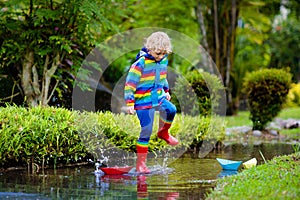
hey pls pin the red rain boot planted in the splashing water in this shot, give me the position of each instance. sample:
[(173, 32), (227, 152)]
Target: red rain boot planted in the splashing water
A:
[(141, 160)]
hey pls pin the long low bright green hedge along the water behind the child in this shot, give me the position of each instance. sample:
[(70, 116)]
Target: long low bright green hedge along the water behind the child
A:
[(49, 136)]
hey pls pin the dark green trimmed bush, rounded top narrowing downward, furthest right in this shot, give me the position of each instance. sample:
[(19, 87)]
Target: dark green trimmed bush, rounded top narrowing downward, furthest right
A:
[(266, 91)]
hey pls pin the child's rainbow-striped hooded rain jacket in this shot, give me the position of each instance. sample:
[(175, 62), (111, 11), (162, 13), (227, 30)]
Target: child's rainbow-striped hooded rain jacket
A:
[(146, 82)]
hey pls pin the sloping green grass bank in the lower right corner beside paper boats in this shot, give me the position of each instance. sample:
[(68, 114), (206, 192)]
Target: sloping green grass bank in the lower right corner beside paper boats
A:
[(277, 179)]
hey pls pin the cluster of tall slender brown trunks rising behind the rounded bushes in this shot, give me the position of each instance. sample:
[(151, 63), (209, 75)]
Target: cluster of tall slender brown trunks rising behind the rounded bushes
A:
[(219, 31)]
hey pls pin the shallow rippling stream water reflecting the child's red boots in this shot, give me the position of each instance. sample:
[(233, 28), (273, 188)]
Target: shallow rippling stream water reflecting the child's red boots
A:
[(188, 177)]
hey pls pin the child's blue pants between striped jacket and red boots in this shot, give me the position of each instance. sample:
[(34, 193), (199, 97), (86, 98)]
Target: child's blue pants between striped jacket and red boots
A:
[(167, 112)]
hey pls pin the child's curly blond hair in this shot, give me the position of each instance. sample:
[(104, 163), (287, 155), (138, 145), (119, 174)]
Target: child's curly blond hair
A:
[(159, 41)]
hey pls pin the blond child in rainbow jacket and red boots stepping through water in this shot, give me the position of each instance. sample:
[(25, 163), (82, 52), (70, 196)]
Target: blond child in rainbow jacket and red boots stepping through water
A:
[(147, 91)]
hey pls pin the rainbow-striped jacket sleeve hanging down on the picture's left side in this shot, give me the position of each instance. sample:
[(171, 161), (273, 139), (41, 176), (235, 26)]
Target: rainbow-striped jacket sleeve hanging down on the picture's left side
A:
[(132, 80)]
